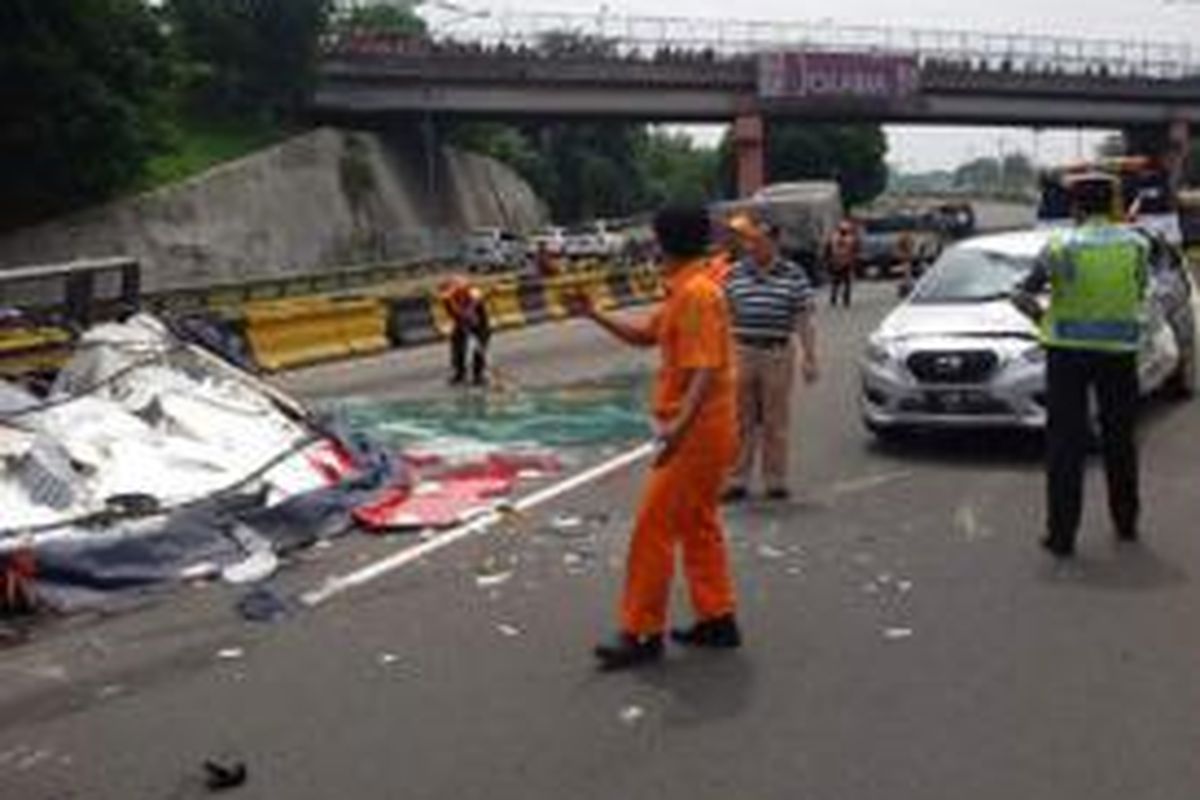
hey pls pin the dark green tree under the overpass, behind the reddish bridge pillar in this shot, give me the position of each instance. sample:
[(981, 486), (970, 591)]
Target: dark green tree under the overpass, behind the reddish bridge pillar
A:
[(853, 155)]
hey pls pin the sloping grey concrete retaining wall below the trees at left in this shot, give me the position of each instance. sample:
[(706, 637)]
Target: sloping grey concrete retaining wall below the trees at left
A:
[(326, 199)]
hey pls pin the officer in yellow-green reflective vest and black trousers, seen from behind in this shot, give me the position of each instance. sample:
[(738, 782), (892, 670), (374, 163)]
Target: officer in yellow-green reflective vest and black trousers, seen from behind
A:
[(1097, 279)]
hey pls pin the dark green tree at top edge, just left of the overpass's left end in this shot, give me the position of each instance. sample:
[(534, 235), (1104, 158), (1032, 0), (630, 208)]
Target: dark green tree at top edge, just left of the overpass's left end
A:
[(251, 57)]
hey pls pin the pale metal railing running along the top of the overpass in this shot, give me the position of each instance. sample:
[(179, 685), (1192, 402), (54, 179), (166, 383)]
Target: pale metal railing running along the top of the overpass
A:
[(627, 37)]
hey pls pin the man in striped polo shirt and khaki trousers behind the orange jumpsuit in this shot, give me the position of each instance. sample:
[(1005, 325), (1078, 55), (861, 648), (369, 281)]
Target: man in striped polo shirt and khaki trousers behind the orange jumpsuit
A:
[(771, 300)]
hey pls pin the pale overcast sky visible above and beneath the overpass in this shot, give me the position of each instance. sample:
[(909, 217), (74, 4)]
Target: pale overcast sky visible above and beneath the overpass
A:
[(921, 148)]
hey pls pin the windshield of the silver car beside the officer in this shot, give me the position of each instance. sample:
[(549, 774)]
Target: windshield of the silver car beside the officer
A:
[(970, 275)]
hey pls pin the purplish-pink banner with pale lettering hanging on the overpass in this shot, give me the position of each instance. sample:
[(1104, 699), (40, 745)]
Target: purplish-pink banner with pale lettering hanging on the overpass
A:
[(825, 75)]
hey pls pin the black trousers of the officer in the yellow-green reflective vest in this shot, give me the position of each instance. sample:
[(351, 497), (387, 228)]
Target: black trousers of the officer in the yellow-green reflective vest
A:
[(1071, 376)]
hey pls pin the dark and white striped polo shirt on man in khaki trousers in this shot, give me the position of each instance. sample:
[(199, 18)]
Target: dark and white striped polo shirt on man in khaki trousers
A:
[(767, 304)]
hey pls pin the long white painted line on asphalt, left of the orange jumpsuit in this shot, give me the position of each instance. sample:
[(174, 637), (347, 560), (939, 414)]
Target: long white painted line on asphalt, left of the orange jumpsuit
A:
[(339, 585)]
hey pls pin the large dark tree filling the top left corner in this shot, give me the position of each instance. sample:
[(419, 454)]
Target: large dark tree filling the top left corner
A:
[(85, 87)]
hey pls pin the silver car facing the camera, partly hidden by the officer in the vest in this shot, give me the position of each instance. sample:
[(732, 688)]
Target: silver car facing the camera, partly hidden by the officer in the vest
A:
[(957, 354)]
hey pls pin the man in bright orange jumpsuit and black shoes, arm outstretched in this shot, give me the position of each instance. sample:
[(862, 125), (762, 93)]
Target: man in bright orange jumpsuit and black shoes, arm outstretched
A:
[(695, 417)]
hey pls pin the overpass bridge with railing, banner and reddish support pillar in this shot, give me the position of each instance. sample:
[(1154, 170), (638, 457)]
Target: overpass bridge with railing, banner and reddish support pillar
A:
[(578, 67)]
